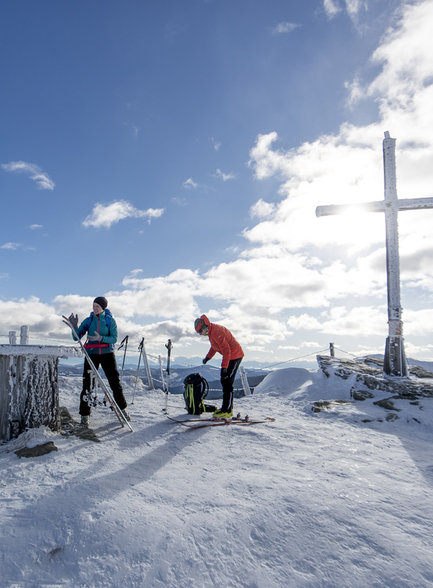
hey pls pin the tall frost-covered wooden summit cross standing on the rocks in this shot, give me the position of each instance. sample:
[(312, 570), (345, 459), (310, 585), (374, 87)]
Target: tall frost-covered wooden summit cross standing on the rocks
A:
[(394, 359)]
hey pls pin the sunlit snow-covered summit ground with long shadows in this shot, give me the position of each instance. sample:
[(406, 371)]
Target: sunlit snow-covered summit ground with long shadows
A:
[(312, 499)]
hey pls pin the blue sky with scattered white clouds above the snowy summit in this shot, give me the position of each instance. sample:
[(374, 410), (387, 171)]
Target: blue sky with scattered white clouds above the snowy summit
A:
[(170, 155)]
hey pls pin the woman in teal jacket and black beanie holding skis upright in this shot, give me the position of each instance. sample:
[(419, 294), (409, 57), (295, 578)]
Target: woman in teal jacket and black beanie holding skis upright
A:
[(101, 329)]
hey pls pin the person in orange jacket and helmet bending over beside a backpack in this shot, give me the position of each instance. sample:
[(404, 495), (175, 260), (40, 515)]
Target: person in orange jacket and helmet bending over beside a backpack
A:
[(222, 341)]
